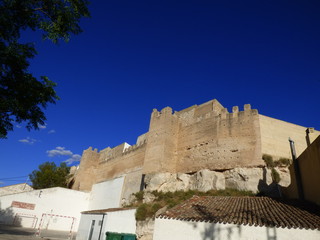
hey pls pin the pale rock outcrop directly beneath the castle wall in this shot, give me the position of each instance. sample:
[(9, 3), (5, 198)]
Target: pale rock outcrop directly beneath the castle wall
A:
[(245, 179)]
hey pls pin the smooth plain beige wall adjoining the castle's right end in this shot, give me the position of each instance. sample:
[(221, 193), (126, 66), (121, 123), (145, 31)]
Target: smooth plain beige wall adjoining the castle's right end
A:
[(275, 134)]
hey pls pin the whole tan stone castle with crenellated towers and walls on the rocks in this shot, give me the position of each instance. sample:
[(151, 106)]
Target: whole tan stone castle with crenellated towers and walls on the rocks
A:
[(204, 136)]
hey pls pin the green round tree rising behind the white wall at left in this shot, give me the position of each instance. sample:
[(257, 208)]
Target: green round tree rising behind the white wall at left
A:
[(49, 175)]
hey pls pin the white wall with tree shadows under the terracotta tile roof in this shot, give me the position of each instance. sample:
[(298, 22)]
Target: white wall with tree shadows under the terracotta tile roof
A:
[(184, 230)]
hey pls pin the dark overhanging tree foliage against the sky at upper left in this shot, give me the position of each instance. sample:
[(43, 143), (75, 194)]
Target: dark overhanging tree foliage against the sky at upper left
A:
[(23, 97)]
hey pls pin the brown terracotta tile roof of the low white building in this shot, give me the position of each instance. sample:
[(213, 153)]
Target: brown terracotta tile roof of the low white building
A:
[(256, 211)]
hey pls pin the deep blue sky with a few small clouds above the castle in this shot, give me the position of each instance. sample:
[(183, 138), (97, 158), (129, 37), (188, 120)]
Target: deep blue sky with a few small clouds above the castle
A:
[(134, 56)]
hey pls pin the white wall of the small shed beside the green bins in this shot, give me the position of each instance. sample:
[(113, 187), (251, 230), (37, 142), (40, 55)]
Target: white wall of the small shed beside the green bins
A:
[(118, 221)]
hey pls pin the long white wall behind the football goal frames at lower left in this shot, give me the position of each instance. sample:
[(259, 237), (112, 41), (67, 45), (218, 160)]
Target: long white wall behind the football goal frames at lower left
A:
[(58, 201)]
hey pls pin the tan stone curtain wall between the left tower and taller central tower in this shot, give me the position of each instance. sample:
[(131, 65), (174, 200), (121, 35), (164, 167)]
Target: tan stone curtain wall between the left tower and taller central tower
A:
[(128, 161)]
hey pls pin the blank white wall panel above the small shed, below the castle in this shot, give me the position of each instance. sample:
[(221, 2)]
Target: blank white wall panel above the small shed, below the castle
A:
[(106, 194)]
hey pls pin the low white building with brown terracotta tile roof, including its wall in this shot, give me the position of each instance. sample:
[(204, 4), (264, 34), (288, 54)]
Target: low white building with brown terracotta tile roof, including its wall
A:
[(236, 218)]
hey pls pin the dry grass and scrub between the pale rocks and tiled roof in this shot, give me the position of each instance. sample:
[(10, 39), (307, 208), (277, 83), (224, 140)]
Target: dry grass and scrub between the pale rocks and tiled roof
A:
[(171, 199)]
